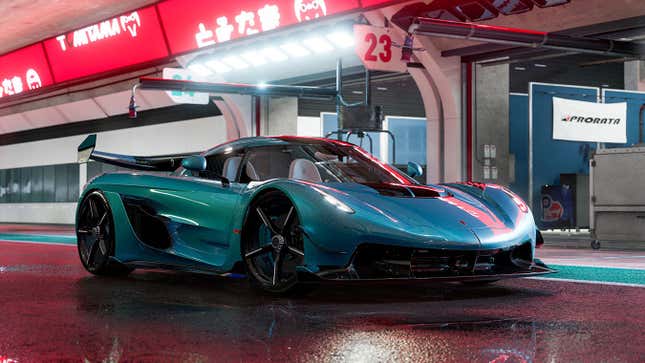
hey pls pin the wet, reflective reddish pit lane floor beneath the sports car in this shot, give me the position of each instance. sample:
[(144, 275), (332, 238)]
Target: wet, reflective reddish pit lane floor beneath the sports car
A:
[(52, 310)]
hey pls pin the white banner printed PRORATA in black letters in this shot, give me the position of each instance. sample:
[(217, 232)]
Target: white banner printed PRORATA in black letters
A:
[(589, 121)]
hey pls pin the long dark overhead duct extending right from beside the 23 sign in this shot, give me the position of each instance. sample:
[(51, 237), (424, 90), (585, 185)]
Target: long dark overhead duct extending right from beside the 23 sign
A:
[(522, 37)]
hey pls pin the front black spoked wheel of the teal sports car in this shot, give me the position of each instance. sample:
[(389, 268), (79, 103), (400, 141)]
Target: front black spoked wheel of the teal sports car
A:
[(273, 244)]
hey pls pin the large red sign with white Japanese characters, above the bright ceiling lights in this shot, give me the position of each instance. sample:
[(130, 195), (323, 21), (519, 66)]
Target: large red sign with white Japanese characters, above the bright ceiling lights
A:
[(205, 23)]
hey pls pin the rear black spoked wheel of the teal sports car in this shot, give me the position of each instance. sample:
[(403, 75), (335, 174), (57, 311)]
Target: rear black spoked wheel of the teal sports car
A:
[(95, 236)]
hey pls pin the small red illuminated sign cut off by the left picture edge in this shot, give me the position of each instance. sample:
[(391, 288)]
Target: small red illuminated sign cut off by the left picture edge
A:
[(24, 70)]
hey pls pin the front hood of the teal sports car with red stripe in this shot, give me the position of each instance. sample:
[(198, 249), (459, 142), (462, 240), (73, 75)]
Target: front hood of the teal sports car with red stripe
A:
[(434, 211)]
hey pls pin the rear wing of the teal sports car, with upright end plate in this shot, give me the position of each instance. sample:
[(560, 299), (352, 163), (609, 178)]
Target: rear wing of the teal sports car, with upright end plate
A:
[(87, 152)]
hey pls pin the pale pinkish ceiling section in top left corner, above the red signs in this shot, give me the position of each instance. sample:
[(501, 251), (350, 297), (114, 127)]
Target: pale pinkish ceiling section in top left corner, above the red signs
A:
[(29, 21)]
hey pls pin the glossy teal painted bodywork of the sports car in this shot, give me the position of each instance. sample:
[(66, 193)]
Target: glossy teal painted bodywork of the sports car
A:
[(205, 217)]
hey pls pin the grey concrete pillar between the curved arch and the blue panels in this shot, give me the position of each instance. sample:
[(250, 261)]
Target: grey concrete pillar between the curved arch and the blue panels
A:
[(491, 124)]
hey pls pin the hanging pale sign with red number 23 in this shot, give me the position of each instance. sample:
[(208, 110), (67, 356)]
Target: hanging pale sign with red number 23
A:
[(379, 48)]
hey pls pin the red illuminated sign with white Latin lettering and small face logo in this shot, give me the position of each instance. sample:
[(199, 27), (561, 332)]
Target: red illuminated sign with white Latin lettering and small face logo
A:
[(106, 46)]
